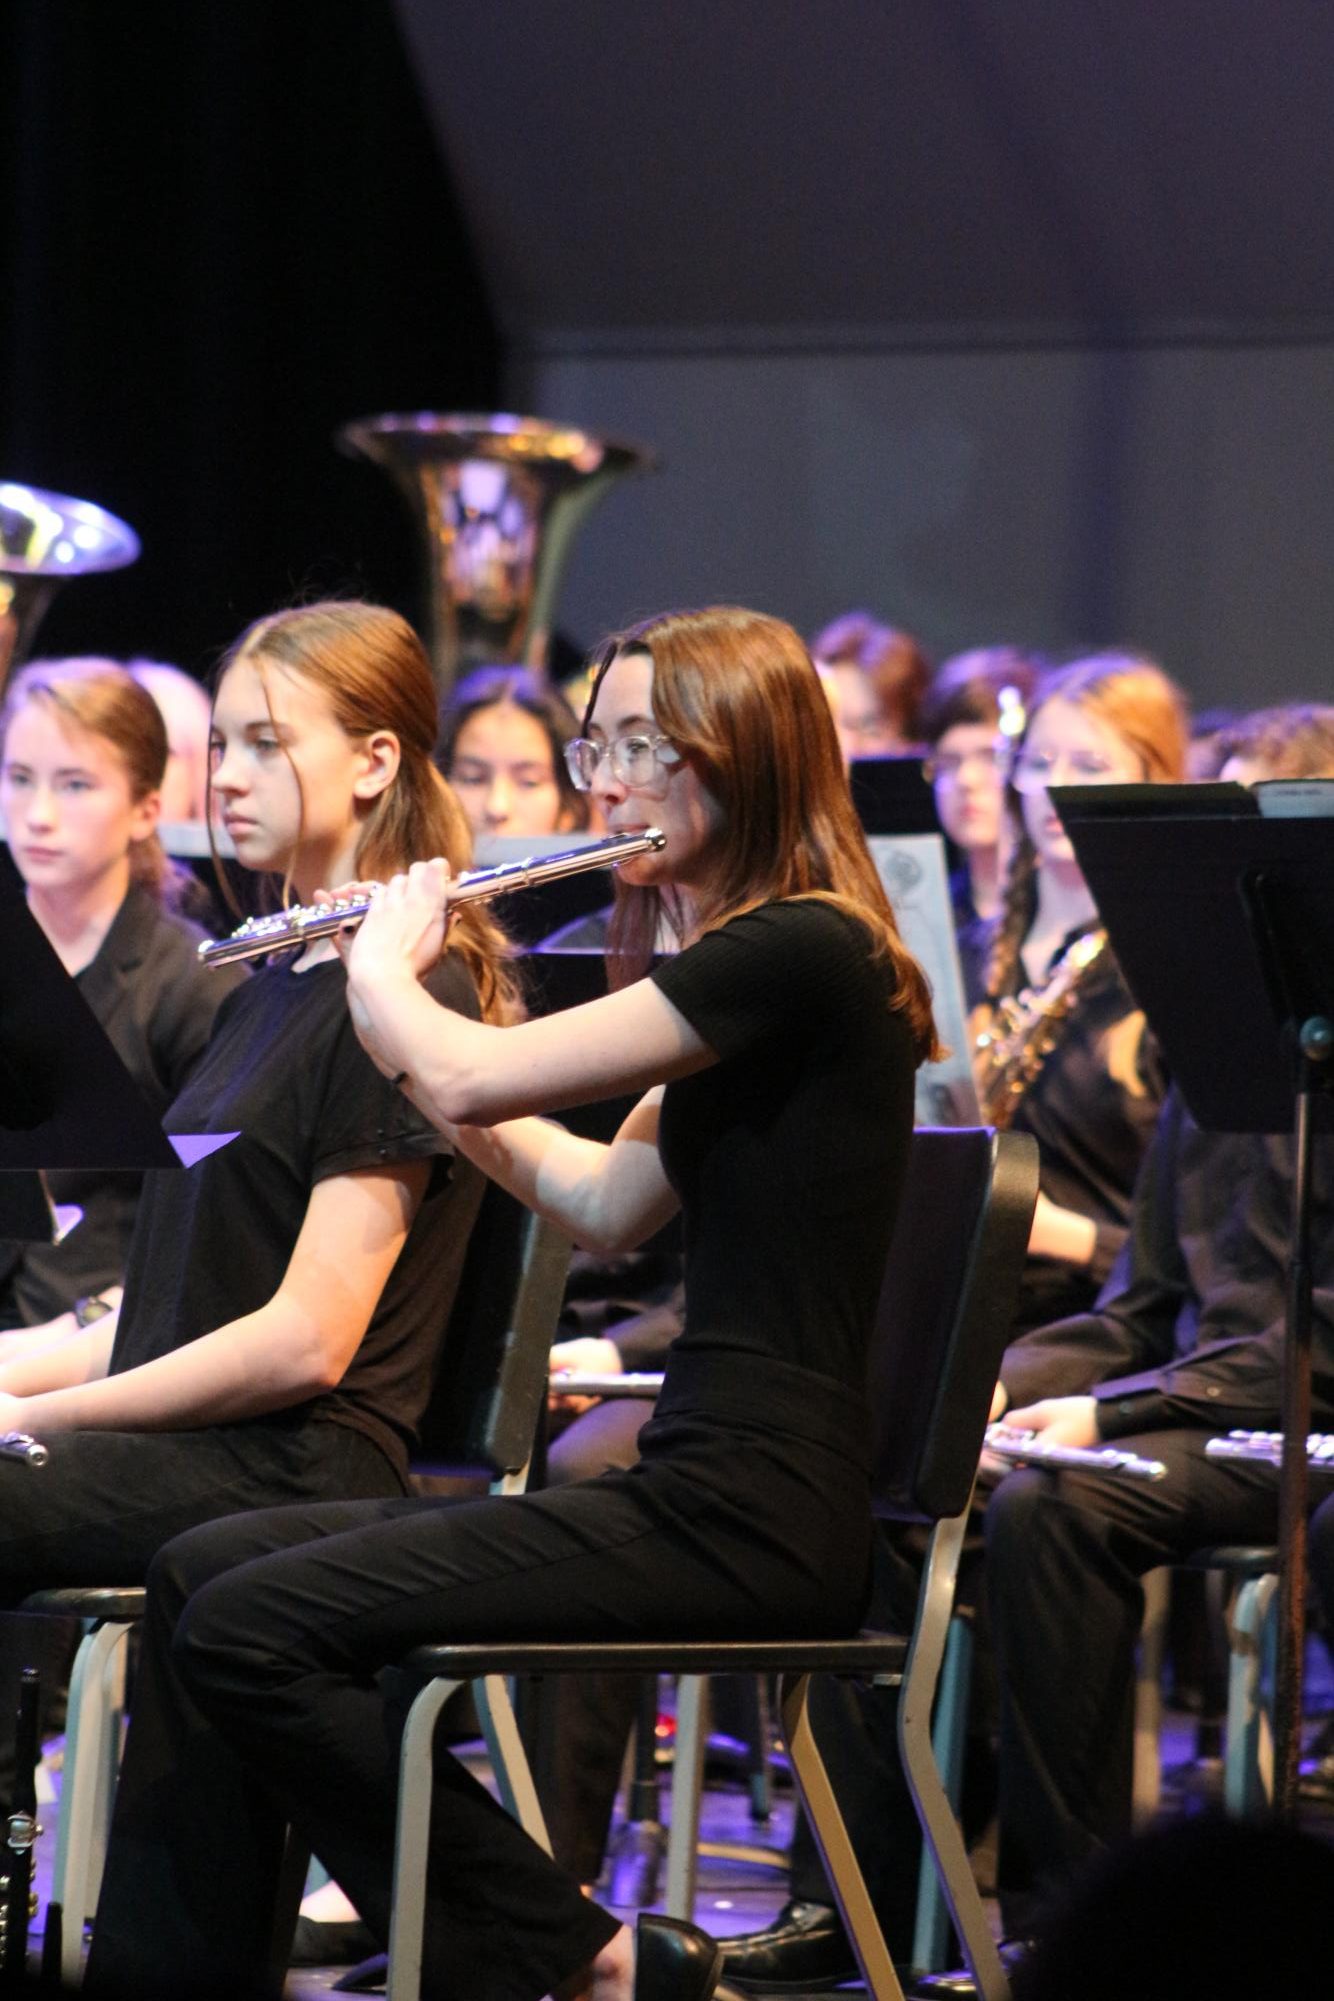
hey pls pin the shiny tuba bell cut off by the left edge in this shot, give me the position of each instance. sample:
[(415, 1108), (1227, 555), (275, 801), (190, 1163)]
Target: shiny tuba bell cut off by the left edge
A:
[(47, 539)]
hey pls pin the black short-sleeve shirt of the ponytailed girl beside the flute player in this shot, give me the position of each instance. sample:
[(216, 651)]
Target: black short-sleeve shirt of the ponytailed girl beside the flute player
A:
[(213, 1242)]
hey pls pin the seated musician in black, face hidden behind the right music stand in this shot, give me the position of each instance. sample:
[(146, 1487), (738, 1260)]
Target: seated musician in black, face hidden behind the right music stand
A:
[(1203, 1270)]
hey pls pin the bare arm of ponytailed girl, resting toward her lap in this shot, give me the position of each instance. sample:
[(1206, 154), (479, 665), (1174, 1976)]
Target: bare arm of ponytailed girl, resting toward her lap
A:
[(291, 1350)]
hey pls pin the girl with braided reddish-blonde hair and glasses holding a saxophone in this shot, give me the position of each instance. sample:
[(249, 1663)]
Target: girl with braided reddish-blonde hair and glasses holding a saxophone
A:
[(1063, 1052)]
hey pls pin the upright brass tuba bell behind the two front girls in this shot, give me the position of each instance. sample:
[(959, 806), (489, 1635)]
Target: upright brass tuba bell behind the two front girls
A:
[(499, 501)]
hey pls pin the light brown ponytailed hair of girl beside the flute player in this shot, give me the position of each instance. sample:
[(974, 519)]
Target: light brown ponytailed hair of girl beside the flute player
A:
[(375, 675)]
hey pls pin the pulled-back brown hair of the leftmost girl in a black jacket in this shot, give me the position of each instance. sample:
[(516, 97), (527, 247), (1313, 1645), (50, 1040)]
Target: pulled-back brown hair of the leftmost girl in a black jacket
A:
[(105, 701)]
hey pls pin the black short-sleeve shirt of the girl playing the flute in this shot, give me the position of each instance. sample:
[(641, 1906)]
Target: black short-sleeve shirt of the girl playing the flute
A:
[(789, 1156)]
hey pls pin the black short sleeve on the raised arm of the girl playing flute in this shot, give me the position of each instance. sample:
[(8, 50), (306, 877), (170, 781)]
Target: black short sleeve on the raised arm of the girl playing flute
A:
[(773, 971)]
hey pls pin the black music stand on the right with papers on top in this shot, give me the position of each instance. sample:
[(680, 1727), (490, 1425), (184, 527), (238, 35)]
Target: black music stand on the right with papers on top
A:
[(1223, 923)]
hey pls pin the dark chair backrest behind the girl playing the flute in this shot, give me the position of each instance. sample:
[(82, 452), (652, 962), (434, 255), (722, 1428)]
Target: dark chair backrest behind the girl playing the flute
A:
[(945, 1314)]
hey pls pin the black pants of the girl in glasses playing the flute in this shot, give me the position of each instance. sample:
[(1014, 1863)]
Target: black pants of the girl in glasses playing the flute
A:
[(261, 1700)]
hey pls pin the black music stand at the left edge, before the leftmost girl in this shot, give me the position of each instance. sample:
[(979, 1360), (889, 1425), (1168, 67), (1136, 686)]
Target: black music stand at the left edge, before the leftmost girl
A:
[(65, 1096)]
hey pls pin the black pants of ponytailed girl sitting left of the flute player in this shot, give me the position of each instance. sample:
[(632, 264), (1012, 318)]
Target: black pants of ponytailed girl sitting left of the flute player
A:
[(107, 1502)]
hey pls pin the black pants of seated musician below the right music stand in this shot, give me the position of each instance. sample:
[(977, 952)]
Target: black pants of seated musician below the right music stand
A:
[(1065, 1558)]
